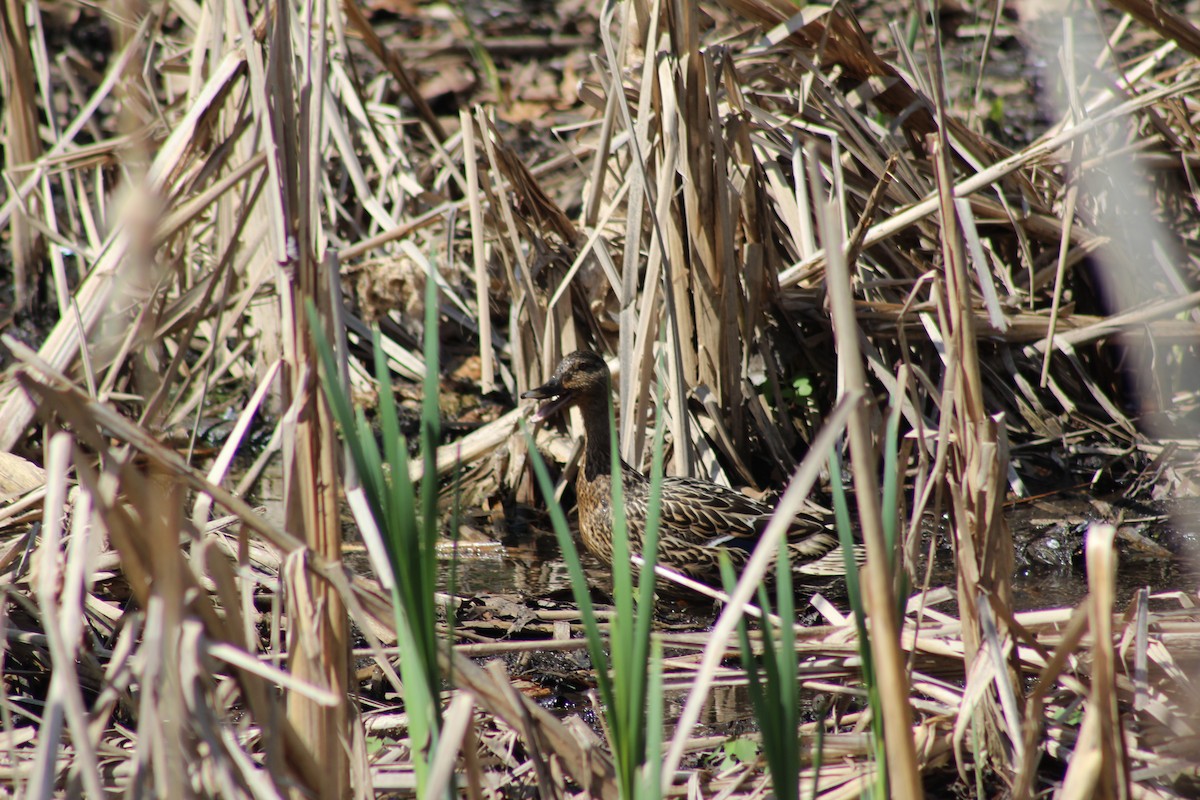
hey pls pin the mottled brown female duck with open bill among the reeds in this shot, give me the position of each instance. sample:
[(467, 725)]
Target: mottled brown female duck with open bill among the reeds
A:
[(699, 520)]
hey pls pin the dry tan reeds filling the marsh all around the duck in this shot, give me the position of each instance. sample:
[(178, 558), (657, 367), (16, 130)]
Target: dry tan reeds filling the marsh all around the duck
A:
[(751, 175)]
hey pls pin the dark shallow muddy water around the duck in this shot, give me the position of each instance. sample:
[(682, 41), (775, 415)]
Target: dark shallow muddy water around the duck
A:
[(1049, 574)]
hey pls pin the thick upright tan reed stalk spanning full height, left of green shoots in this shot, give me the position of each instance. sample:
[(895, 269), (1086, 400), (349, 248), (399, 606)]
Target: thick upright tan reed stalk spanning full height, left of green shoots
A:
[(319, 629)]
